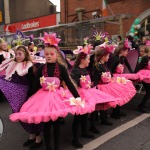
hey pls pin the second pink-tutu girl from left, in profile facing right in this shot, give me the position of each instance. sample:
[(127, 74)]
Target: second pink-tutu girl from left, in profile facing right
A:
[(83, 81)]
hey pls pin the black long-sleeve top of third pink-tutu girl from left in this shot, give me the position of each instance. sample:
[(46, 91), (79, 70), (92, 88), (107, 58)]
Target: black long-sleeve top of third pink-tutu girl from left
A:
[(97, 72)]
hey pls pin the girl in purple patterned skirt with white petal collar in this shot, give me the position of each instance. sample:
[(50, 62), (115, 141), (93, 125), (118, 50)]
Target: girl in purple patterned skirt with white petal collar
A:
[(16, 85)]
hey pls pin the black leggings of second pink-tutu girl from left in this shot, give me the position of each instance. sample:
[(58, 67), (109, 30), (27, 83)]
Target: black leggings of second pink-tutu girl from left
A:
[(75, 125)]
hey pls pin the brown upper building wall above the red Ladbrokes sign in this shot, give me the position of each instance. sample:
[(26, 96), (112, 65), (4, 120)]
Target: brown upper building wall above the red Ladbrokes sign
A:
[(27, 9)]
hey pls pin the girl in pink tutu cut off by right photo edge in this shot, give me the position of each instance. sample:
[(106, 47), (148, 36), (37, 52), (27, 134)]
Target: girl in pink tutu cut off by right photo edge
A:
[(143, 70)]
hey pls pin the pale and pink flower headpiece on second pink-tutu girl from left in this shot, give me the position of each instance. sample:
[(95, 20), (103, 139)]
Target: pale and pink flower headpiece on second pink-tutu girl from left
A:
[(86, 49)]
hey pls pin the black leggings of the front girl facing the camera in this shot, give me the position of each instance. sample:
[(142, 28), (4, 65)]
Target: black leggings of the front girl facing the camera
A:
[(56, 134)]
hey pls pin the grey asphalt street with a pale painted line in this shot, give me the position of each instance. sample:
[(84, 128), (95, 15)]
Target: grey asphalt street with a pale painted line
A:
[(128, 133)]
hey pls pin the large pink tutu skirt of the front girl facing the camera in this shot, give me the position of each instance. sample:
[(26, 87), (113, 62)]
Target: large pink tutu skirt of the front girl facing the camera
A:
[(44, 106)]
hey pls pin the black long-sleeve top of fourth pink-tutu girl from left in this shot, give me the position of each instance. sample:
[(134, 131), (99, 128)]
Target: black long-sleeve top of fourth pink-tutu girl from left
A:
[(116, 60)]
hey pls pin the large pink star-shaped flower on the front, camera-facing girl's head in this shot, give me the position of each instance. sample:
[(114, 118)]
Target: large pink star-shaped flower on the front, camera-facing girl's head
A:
[(50, 39)]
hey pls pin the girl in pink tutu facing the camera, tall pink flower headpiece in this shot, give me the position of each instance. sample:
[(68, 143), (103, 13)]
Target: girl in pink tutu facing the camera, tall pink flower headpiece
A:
[(50, 101)]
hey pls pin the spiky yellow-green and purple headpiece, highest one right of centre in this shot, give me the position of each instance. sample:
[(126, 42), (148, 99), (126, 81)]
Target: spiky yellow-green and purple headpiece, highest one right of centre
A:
[(100, 36)]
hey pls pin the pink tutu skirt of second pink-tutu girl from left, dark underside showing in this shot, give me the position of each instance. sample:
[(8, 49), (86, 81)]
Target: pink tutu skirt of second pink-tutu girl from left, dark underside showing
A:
[(102, 100)]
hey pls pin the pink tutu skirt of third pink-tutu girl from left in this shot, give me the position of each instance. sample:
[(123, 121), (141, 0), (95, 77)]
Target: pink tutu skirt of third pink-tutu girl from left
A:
[(124, 92)]
